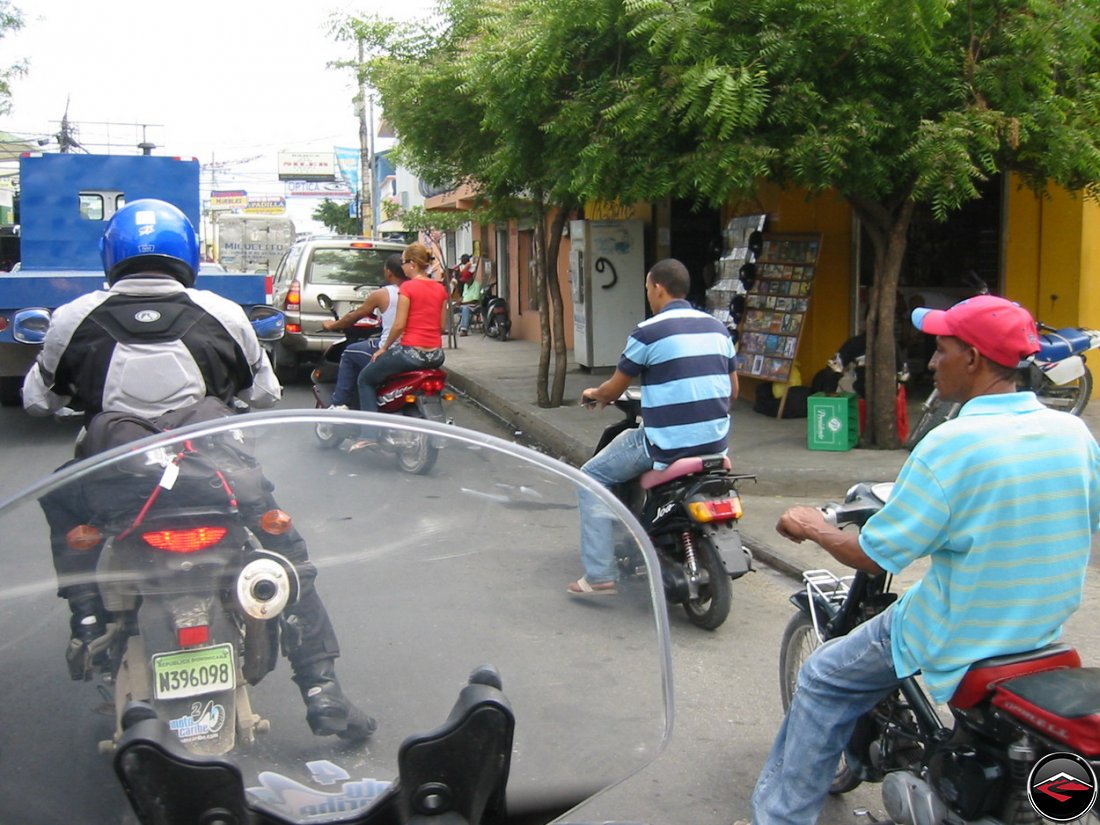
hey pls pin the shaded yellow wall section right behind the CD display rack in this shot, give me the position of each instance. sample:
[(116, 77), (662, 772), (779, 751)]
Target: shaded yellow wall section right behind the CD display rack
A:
[(829, 322)]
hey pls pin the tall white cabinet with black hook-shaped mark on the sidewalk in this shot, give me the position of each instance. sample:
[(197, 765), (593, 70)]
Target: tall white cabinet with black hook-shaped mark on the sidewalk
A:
[(608, 270)]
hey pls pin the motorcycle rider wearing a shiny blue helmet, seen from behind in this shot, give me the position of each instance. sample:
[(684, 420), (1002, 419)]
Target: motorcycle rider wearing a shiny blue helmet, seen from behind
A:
[(148, 345)]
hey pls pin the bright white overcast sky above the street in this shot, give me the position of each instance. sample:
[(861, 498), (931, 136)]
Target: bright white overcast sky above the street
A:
[(232, 83)]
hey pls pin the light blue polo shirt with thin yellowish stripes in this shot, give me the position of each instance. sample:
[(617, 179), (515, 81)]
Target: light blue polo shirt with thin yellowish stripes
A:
[(1005, 500)]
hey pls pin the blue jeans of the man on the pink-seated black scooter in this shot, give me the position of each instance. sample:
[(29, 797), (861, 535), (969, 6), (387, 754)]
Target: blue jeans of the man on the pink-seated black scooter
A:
[(624, 459)]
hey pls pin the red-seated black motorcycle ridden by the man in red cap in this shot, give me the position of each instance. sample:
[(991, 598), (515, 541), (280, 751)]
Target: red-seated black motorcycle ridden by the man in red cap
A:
[(1009, 713)]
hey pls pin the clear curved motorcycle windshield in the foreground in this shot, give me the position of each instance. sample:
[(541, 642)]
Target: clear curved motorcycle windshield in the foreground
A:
[(425, 577)]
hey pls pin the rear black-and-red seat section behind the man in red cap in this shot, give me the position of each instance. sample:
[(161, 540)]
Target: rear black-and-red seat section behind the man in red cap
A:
[(1063, 705)]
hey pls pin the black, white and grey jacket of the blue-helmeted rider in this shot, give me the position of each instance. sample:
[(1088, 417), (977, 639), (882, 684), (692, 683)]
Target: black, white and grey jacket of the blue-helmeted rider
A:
[(148, 346)]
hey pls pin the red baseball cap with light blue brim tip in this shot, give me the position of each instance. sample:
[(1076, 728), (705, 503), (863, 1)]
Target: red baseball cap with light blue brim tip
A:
[(999, 329)]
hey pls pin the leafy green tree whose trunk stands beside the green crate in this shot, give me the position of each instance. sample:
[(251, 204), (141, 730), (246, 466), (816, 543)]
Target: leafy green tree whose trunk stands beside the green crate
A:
[(893, 104)]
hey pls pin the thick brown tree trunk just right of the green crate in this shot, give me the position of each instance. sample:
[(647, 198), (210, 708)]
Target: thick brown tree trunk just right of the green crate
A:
[(888, 228)]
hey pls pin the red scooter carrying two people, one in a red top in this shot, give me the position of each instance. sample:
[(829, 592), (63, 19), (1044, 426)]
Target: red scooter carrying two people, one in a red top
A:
[(417, 394)]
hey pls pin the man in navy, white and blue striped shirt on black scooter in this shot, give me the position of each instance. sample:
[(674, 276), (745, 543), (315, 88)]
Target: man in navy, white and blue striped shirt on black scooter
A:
[(687, 364)]
